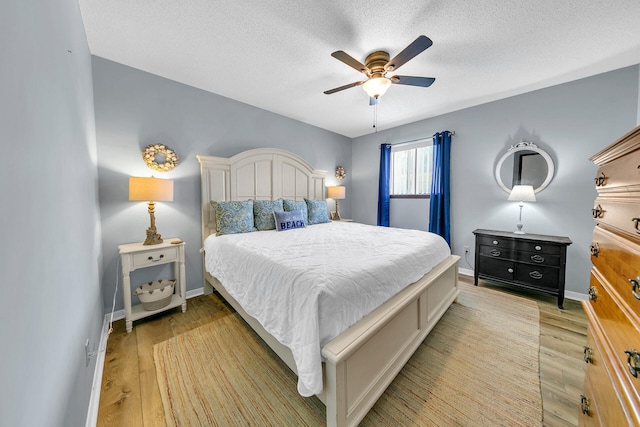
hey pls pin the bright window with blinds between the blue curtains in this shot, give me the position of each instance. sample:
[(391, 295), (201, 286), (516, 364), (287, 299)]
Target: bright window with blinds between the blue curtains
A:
[(411, 169)]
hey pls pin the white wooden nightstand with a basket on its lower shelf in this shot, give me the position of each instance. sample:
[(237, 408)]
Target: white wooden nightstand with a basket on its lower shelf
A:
[(135, 256)]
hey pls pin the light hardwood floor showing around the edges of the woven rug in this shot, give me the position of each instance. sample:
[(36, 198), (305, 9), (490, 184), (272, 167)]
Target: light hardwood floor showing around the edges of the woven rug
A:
[(130, 395)]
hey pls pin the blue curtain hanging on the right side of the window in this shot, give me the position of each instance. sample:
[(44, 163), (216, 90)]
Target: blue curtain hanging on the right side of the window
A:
[(439, 212)]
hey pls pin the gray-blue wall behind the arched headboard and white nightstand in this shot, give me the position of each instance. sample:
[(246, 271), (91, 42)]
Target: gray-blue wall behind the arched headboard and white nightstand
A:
[(134, 108)]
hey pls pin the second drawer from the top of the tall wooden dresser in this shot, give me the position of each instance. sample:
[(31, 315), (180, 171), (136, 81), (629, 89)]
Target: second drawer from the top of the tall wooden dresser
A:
[(619, 213)]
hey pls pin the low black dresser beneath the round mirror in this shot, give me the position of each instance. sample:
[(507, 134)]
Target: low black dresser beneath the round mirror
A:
[(532, 261)]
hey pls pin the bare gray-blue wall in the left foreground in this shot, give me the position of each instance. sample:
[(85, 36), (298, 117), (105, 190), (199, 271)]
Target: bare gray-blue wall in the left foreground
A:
[(51, 252)]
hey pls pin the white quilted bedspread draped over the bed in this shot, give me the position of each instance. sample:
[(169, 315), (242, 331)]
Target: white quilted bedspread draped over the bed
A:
[(306, 286)]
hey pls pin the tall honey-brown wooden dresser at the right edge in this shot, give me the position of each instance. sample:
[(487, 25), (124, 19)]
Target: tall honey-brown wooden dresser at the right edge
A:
[(612, 383)]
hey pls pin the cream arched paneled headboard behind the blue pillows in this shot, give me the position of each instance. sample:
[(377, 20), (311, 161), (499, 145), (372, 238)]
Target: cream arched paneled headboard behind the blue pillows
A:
[(259, 174)]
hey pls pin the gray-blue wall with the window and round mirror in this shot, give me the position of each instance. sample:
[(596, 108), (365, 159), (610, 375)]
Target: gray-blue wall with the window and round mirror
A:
[(571, 121)]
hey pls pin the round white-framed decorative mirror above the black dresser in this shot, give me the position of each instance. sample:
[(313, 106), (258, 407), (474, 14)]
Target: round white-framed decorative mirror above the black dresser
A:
[(524, 164)]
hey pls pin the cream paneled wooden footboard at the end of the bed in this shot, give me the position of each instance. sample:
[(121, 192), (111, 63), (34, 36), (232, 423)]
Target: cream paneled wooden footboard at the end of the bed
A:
[(362, 361)]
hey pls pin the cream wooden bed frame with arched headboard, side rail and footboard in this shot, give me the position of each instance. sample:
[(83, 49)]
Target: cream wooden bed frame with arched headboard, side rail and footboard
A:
[(362, 361)]
